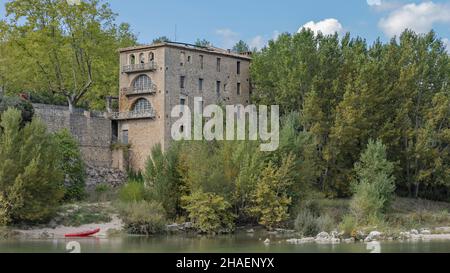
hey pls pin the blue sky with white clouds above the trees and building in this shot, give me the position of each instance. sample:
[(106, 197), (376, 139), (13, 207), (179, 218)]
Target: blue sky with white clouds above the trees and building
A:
[(256, 21)]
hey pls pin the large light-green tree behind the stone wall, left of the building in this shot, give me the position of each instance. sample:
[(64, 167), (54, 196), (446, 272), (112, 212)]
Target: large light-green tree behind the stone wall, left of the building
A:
[(67, 50)]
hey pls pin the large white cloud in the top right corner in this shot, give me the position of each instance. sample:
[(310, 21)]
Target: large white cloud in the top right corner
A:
[(417, 17)]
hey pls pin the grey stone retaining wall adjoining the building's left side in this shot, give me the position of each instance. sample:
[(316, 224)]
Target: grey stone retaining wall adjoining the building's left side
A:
[(91, 129)]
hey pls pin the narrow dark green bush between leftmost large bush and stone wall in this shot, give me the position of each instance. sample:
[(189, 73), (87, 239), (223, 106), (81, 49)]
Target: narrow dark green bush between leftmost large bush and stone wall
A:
[(72, 165)]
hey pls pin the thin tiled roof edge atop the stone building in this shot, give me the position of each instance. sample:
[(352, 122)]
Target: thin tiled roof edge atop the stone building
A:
[(209, 49)]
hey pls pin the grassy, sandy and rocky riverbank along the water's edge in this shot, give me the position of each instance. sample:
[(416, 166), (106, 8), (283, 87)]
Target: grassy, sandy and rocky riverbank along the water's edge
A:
[(409, 220)]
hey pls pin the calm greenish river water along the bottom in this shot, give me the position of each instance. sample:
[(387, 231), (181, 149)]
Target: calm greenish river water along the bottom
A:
[(243, 243)]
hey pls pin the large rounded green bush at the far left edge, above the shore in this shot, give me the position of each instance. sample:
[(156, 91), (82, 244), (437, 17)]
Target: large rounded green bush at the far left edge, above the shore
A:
[(31, 182)]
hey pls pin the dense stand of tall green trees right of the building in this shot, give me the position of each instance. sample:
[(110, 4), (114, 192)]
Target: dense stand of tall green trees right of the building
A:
[(349, 92)]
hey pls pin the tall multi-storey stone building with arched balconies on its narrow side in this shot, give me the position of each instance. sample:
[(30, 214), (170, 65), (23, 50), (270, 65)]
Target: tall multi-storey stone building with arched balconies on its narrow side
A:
[(155, 78)]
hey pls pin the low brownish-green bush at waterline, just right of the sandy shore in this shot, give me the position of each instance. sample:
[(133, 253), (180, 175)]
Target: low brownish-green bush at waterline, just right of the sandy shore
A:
[(143, 218)]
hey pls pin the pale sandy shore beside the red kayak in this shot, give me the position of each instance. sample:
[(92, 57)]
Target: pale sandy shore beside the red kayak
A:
[(60, 231)]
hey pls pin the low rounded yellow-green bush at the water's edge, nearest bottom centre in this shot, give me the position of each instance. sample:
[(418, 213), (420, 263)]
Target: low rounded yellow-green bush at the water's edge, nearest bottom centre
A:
[(209, 212)]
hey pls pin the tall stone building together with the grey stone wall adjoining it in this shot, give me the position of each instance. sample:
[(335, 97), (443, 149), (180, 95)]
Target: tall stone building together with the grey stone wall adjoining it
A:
[(153, 80)]
